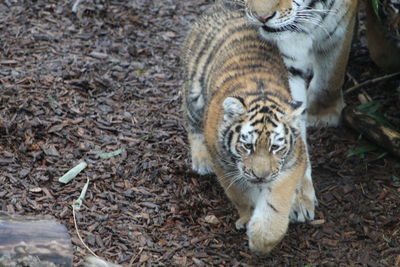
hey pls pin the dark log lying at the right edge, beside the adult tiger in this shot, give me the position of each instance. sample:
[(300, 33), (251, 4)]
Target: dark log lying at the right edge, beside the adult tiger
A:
[(375, 131)]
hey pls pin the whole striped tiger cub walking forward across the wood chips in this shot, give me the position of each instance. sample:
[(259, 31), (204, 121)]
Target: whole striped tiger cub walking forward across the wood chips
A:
[(244, 125)]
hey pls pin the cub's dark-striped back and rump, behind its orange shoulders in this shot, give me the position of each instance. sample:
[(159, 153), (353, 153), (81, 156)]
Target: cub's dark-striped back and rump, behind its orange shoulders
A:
[(222, 45)]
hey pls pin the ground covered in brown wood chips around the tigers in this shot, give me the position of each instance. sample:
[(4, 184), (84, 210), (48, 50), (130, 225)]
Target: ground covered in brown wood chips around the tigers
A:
[(107, 78)]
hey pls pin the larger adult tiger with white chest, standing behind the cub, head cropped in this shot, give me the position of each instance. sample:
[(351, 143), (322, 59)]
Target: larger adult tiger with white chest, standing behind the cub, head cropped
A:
[(314, 37)]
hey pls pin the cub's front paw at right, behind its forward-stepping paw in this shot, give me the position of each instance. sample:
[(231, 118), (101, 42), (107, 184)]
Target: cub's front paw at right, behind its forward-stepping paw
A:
[(303, 208)]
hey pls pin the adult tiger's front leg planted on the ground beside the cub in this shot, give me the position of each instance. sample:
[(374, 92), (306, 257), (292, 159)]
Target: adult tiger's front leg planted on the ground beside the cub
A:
[(325, 97)]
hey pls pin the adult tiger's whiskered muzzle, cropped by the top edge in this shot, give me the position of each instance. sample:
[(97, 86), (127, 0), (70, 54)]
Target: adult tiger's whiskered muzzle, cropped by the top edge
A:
[(276, 16)]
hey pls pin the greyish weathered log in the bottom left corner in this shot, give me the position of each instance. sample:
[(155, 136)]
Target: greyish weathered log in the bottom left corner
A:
[(33, 241)]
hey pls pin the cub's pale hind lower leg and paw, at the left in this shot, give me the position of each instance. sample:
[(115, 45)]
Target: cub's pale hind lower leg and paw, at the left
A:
[(200, 156)]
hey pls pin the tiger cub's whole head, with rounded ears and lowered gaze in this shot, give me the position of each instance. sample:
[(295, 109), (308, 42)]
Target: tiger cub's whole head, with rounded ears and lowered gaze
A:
[(258, 138)]
